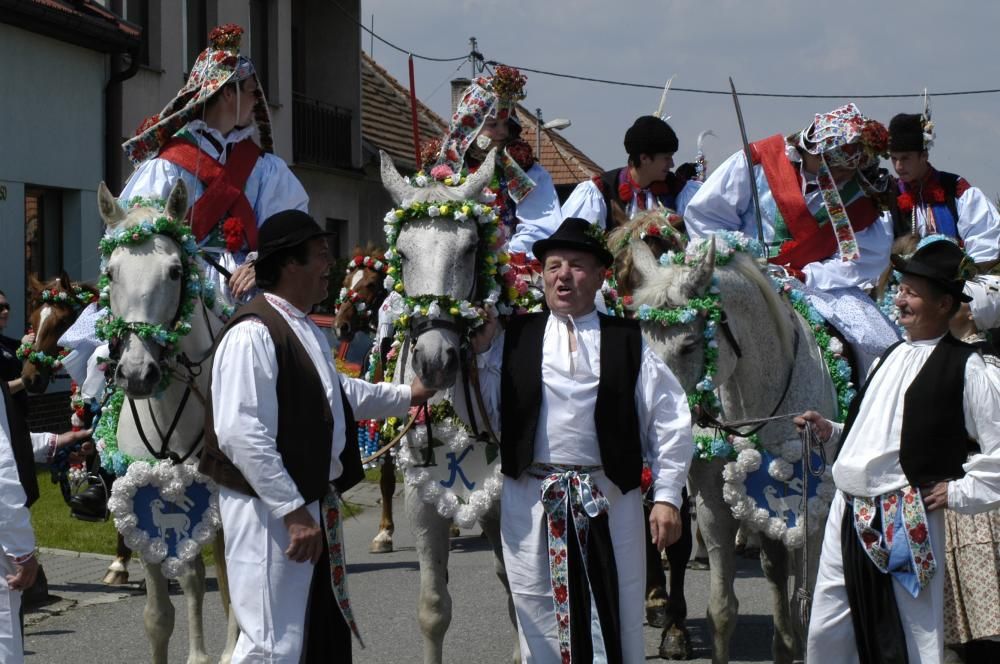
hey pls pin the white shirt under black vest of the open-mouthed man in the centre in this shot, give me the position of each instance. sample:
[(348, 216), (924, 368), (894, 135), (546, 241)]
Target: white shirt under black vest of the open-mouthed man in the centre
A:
[(661, 404)]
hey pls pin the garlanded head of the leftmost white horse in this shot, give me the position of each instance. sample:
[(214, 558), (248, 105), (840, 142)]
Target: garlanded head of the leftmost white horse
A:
[(150, 282)]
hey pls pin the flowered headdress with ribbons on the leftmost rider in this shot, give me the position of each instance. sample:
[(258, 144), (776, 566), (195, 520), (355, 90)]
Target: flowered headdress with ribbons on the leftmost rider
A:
[(216, 66)]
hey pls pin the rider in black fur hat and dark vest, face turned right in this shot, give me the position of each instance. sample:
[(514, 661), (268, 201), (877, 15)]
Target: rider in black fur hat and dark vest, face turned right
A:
[(644, 183)]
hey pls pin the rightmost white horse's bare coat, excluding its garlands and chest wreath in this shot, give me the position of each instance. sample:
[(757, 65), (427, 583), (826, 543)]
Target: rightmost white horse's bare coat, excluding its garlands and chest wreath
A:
[(775, 348)]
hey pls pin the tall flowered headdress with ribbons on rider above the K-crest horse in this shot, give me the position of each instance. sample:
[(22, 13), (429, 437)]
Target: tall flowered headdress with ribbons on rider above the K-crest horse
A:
[(488, 97)]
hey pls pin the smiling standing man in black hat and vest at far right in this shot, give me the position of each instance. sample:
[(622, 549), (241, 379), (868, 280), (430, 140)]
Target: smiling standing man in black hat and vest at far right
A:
[(902, 458)]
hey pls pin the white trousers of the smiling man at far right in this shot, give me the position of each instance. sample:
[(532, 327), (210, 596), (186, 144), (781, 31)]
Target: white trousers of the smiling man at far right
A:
[(831, 633)]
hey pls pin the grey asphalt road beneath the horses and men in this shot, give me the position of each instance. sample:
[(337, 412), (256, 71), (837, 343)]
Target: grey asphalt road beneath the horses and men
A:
[(96, 624)]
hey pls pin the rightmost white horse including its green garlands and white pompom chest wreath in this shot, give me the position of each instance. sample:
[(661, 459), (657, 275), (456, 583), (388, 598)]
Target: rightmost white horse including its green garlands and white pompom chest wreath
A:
[(743, 352)]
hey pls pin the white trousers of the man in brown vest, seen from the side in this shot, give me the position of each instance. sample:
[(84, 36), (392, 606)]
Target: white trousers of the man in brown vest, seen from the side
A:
[(269, 592)]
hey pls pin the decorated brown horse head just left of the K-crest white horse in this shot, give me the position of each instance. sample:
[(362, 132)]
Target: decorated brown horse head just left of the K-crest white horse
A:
[(362, 292)]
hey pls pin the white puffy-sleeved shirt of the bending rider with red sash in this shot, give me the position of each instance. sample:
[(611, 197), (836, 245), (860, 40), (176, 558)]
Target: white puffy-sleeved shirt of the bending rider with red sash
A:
[(725, 202)]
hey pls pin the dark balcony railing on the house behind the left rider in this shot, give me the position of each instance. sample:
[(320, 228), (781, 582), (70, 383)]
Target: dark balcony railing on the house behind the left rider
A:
[(321, 133)]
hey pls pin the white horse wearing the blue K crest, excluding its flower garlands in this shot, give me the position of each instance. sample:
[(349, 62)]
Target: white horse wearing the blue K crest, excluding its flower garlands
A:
[(439, 258)]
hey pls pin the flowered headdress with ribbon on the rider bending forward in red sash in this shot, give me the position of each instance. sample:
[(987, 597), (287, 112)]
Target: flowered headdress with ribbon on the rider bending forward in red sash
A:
[(844, 138)]
